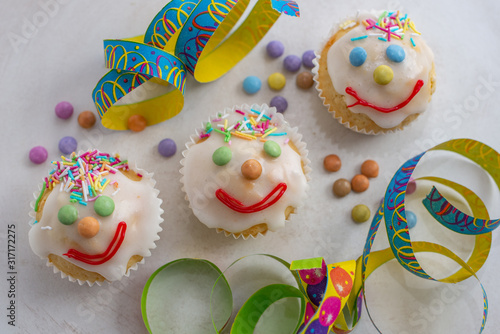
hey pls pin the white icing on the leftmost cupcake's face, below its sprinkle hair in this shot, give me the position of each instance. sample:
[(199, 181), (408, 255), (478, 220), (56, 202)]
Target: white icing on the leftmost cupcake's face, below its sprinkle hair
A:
[(136, 204)]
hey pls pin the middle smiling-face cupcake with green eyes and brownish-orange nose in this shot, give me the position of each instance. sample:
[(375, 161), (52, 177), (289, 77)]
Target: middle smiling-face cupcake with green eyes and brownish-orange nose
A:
[(245, 171)]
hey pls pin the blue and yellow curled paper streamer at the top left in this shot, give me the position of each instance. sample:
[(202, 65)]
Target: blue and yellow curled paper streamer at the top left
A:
[(185, 36)]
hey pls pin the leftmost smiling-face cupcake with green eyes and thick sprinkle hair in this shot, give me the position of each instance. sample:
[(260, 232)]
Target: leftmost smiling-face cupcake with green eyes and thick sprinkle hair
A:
[(95, 218)]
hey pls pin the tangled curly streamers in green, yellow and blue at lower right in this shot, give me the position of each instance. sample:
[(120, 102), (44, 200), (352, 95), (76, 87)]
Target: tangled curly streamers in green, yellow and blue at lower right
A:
[(331, 295)]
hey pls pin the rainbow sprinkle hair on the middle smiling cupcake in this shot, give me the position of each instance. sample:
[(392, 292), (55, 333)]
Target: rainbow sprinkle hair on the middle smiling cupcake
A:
[(251, 125)]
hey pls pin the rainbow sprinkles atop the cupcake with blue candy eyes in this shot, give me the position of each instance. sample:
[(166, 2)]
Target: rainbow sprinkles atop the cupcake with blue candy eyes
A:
[(388, 25)]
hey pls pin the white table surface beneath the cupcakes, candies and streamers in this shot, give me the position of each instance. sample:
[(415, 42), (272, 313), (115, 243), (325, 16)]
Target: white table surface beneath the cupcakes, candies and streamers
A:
[(61, 59)]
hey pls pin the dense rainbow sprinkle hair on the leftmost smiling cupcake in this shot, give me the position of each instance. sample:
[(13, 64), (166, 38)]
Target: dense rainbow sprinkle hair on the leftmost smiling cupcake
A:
[(84, 176)]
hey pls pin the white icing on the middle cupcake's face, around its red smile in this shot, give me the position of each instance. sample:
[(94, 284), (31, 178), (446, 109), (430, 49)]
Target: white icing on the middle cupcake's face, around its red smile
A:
[(202, 177)]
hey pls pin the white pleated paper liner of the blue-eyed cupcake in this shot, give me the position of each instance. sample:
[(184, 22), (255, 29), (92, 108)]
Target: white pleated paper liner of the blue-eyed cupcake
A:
[(322, 95)]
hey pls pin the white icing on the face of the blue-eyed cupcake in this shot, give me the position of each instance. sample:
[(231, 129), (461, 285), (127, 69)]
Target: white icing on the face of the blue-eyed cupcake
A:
[(416, 65)]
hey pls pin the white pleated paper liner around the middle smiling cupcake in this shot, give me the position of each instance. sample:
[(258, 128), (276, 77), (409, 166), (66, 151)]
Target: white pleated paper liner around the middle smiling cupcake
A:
[(292, 134)]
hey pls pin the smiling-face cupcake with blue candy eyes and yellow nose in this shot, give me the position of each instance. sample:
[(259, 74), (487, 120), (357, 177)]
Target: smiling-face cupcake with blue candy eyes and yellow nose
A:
[(375, 73)]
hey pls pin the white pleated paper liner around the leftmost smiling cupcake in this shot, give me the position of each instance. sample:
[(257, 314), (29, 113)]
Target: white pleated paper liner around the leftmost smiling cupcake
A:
[(152, 183)]
